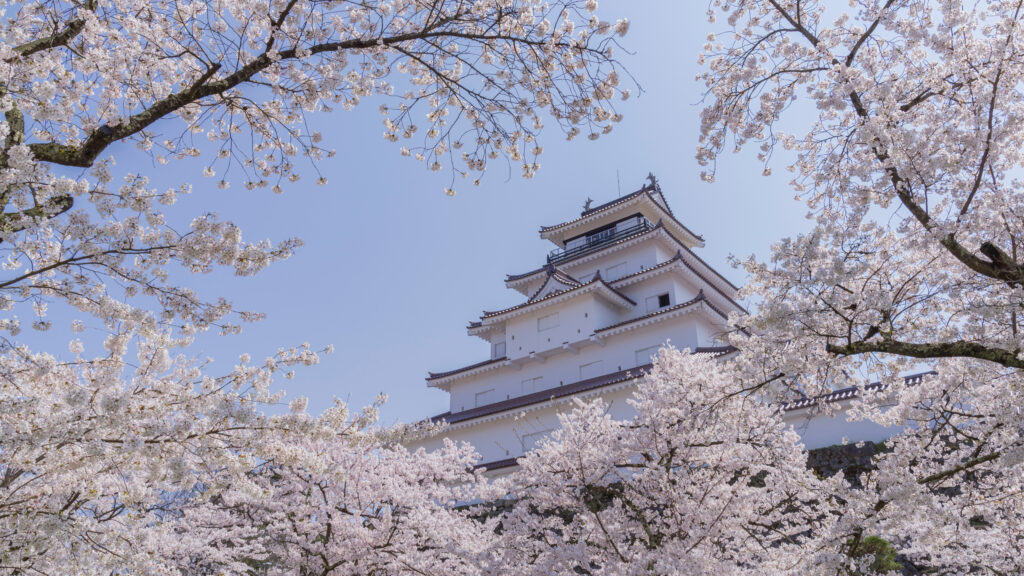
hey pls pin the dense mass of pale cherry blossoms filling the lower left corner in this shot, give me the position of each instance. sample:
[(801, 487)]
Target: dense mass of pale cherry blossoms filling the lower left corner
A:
[(176, 472)]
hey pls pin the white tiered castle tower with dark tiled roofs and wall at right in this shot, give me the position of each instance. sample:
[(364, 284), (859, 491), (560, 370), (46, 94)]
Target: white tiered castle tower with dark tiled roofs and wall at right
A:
[(623, 281)]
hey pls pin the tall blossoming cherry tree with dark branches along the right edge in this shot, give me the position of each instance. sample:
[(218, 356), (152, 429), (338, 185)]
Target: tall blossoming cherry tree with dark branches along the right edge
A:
[(903, 122)]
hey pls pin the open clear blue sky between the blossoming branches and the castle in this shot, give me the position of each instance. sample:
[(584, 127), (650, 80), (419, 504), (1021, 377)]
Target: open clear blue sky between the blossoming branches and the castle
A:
[(393, 270)]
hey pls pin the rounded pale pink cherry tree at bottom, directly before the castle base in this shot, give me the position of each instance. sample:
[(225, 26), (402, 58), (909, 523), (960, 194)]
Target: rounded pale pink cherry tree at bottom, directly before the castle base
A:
[(704, 480)]
